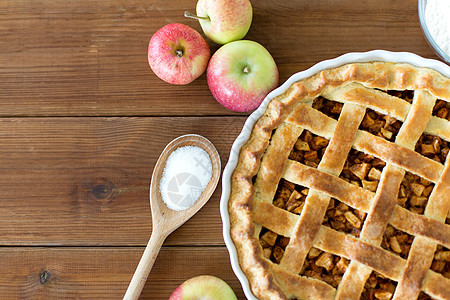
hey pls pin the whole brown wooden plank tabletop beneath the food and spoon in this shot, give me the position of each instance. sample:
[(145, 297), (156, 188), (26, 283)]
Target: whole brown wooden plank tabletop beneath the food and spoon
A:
[(83, 120)]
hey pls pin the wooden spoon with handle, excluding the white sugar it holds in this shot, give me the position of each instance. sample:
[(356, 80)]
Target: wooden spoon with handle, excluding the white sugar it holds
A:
[(164, 219)]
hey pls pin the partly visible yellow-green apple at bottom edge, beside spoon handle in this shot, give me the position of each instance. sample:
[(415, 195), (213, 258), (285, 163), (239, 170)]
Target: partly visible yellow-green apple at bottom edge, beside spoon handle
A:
[(204, 287)]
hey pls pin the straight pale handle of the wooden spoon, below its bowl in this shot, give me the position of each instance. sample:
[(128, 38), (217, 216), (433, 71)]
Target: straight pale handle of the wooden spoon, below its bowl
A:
[(145, 265)]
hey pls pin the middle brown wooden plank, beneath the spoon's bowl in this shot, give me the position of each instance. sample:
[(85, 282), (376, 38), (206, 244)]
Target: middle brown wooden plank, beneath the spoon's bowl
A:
[(85, 181)]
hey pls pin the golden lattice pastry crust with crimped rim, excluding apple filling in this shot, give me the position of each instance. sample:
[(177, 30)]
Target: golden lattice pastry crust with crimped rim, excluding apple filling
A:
[(263, 162)]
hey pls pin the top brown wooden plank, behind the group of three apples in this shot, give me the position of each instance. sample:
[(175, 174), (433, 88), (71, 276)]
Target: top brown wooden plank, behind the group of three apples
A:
[(71, 58)]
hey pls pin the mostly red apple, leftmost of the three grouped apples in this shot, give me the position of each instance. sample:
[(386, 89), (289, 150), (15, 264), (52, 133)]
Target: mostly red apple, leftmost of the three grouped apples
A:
[(178, 54)]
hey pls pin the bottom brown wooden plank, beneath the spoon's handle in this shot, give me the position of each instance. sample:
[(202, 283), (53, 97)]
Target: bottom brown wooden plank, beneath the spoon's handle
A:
[(104, 272)]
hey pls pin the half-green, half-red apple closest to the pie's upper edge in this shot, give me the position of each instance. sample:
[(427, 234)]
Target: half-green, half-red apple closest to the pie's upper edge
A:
[(240, 74)]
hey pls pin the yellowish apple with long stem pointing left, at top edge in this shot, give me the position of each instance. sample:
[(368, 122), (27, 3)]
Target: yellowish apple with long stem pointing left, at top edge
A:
[(224, 21)]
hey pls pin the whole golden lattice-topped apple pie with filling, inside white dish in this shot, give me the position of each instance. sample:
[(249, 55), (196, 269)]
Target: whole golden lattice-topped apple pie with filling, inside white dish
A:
[(342, 190)]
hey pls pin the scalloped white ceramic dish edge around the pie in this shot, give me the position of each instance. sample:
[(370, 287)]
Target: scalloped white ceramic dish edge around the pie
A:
[(376, 55)]
